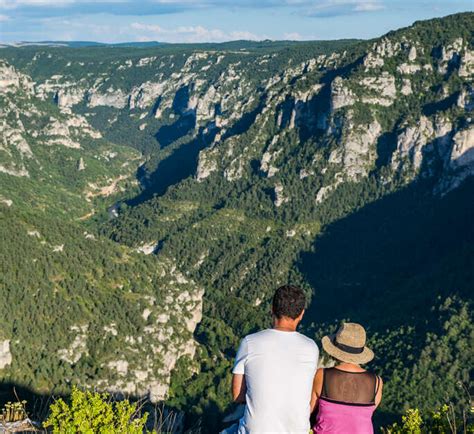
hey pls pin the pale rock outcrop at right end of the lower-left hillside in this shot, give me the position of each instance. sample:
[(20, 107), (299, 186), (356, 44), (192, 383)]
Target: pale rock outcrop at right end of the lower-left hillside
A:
[(164, 344)]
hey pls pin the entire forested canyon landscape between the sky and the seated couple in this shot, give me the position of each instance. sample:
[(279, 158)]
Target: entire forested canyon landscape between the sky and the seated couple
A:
[(219, 172)]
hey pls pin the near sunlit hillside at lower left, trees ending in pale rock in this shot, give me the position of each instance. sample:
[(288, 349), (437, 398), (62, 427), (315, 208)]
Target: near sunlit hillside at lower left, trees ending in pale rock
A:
[(133, 347)]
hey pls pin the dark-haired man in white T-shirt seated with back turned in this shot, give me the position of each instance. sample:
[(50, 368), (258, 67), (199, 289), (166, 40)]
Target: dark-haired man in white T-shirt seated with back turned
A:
[(274, 370)]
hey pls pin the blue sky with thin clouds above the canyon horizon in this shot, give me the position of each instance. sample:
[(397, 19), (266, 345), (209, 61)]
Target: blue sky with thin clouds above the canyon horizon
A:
[(212, 20)]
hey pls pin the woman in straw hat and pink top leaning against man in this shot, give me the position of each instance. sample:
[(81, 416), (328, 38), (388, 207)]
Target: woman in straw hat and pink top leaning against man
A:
[(346, 395)]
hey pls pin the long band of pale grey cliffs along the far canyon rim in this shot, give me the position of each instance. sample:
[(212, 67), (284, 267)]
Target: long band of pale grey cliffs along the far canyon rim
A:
[(324, 95)]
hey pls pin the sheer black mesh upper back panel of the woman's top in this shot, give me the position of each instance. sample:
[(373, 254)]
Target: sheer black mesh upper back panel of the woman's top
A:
[(357, 388)]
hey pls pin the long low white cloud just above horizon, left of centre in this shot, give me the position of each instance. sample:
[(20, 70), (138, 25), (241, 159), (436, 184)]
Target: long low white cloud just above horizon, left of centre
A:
[(189, 34)]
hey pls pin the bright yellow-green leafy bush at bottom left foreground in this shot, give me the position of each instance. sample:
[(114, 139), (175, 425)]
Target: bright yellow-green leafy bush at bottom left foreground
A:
[(95, 413)]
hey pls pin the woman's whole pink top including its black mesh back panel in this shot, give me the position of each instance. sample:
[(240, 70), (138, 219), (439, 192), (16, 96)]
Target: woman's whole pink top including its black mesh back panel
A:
[(347, 402)]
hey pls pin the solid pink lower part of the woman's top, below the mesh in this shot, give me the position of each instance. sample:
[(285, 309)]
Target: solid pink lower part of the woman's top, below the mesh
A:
[(343, 418)]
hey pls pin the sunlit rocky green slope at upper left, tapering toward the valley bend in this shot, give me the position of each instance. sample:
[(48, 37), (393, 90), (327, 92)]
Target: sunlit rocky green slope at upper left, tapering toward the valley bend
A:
[(35, 136)]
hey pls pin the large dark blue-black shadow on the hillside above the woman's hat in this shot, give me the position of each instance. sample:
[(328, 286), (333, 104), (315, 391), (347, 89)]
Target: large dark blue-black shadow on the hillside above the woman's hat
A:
[(384, 265)]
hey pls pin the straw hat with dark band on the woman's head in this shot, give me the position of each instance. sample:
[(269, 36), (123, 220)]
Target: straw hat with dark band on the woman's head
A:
[(348, 344)]
